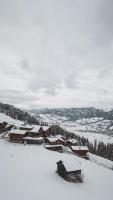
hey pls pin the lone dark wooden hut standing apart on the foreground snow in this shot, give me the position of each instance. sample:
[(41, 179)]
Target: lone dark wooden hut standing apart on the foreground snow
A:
[(69, 171)]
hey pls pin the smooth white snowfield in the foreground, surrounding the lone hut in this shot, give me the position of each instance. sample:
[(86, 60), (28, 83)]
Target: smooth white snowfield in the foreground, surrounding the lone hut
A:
[(28, 172)]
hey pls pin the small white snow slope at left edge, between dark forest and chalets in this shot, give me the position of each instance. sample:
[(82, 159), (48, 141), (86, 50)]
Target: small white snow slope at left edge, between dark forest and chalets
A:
[(10, 120)]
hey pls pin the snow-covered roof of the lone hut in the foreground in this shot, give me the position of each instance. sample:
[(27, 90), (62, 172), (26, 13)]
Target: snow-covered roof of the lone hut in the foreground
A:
[(71, 165)]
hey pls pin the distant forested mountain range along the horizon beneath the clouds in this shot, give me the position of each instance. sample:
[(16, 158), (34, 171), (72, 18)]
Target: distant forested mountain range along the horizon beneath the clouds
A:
[(73, 114)]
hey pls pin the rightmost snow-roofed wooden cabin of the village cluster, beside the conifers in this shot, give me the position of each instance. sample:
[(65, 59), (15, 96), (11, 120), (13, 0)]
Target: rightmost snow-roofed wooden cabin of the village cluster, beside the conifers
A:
[(81, 151)]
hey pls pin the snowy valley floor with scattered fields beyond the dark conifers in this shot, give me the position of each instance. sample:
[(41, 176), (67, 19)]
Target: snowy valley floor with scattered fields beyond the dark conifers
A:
[(91, 128)]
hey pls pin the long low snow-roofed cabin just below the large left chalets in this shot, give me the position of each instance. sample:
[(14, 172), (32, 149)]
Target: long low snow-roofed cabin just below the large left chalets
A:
[(33, 140)]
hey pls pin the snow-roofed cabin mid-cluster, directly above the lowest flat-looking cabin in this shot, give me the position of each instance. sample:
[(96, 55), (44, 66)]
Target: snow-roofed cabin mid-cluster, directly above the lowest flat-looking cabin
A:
[(54, 141)]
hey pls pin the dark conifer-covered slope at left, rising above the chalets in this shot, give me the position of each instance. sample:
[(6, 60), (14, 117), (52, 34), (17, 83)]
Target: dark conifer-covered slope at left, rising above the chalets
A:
[(16, 113)]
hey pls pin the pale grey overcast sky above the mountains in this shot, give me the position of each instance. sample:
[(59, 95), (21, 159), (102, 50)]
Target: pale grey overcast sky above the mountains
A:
[(56, 53)]
